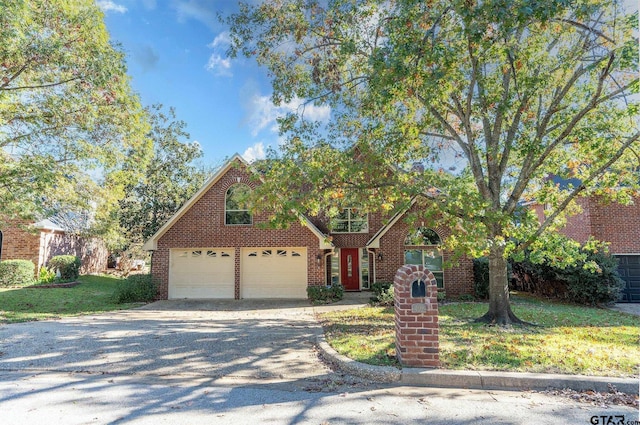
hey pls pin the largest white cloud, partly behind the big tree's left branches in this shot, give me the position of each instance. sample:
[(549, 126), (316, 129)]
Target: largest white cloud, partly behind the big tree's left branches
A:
[(263, 113)]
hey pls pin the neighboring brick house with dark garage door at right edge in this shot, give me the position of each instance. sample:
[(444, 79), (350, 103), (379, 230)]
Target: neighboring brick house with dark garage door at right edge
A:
[(617, 224)]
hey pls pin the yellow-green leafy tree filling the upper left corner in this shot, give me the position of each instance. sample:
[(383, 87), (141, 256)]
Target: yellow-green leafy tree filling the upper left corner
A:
[(69, 121)]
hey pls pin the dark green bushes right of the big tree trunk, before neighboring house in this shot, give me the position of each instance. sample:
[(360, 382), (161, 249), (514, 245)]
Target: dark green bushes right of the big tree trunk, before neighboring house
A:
[(594, 280)]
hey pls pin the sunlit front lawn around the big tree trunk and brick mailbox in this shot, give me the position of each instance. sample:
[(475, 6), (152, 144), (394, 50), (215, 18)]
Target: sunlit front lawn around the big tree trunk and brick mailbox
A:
[(567, 339)]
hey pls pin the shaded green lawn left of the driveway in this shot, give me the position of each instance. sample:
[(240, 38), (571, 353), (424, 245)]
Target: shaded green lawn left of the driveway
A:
[(94, 294)]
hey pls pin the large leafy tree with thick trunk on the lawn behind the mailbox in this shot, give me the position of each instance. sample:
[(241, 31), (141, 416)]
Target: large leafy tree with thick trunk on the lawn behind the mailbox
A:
[(509, 92)]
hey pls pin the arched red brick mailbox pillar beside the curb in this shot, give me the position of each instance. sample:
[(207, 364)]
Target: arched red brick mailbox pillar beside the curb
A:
[(416, 316)]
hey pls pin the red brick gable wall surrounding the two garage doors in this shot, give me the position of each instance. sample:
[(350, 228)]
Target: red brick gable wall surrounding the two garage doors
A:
[(203, 226)]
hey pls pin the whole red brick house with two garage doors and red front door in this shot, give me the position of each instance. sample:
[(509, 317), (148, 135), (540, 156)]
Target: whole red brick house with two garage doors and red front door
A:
[(213, 247)]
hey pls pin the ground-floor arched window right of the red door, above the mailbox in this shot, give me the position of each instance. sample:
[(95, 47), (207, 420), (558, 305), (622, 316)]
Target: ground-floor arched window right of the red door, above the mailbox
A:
[(428, 255)]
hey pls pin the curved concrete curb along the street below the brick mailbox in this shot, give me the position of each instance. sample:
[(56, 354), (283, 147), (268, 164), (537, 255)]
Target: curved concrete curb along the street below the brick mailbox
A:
[(473, 379)]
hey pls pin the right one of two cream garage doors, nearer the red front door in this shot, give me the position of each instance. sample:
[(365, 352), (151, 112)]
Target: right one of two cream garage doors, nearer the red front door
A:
[(274, 273)]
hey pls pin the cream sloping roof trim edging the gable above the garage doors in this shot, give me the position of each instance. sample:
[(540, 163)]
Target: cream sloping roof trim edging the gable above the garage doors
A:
[(152, 243)]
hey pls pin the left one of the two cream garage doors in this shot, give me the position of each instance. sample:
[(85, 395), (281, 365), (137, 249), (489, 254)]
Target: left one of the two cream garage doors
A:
[(202, 273)]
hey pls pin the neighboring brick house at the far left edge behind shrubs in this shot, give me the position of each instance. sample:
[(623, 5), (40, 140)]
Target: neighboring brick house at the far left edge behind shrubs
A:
[(41, 241)]
